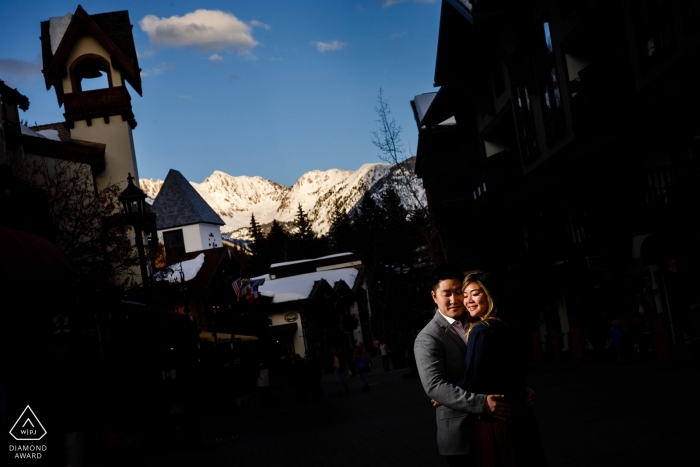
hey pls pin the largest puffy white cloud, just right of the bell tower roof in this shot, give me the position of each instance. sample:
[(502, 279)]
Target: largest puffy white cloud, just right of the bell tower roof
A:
[(206, 30)]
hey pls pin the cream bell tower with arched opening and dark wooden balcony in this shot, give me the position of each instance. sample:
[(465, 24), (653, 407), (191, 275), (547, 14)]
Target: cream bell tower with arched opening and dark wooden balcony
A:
[(78, 50)]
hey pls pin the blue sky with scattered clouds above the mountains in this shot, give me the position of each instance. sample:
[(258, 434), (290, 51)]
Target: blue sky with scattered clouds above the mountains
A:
[(280, 88)]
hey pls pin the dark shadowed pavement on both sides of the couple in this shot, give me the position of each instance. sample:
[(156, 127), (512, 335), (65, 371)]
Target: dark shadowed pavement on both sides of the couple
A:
[(589, 415)]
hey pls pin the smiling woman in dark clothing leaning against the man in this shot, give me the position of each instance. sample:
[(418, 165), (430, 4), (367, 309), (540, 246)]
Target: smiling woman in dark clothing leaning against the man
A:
[(494, 365)]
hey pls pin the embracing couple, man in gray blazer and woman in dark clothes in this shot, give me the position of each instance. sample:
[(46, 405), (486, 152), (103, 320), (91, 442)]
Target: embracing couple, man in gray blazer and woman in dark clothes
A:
[(472, 367)]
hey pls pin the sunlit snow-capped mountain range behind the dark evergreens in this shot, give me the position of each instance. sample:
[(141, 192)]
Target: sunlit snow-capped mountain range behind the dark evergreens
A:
[(235, 199)]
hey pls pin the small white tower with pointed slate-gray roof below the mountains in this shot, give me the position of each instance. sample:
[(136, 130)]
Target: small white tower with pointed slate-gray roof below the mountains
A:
[(185, 221)]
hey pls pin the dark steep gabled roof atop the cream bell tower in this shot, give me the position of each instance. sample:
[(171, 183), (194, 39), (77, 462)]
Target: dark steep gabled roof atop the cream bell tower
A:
[(112, 30)]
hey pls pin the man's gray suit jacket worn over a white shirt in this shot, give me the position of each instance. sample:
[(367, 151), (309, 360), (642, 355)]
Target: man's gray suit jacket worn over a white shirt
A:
[(440, 355)]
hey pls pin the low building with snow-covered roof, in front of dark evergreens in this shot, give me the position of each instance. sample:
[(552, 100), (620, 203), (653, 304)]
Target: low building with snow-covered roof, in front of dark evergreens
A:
[(316, 303)]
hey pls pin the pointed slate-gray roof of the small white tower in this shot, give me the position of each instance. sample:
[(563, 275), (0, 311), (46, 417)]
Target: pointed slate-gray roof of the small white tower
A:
[(178, 203)]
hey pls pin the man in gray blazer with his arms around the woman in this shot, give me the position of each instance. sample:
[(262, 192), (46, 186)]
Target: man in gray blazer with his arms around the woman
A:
[(440, 350)]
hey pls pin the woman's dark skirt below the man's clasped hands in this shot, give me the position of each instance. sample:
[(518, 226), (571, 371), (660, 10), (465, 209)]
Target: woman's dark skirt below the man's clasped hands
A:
[(515, 442)]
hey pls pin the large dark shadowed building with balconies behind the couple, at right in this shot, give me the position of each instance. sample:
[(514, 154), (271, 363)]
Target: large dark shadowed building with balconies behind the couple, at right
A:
[(561, 149)]
